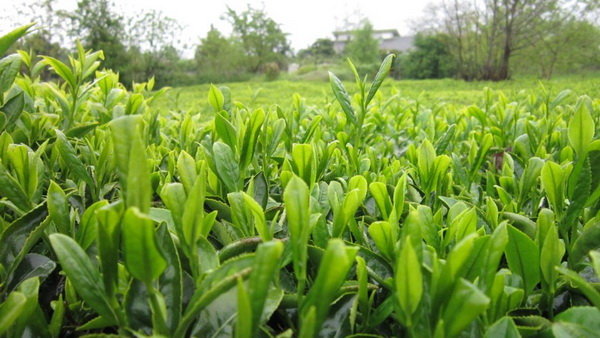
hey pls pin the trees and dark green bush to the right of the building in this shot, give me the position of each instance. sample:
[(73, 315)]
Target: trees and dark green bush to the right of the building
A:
[(494, 39)]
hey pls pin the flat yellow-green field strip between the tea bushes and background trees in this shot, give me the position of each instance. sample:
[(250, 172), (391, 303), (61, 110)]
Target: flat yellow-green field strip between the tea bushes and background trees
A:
[(266, 94)]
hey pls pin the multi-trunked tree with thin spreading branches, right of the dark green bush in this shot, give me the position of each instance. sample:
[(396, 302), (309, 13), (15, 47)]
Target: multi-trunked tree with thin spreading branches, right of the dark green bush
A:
[(485, 35)]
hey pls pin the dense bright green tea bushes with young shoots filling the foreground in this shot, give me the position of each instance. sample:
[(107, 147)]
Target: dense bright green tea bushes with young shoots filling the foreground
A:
[(367, 215)]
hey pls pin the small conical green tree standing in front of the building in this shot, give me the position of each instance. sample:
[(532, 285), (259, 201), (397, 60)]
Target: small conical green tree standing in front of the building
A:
[(363, 48)]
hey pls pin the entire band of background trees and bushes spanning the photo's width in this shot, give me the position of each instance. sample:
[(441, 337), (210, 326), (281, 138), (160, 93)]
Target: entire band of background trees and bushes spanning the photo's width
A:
[(470, 40)]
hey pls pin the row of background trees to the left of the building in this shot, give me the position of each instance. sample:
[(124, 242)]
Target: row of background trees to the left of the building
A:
[(147, 45)]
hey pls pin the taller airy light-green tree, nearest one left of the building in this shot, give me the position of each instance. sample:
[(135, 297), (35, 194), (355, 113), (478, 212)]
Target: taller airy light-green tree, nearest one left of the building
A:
[(262, 39)]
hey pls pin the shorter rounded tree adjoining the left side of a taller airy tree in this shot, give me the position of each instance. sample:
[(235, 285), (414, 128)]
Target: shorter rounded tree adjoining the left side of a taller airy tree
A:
[(220, 59)]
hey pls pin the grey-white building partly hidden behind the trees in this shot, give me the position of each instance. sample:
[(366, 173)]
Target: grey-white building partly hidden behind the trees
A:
[(389, 40)]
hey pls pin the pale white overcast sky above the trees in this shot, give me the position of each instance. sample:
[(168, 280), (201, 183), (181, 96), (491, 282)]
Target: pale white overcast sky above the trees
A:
[(304, 20)]
